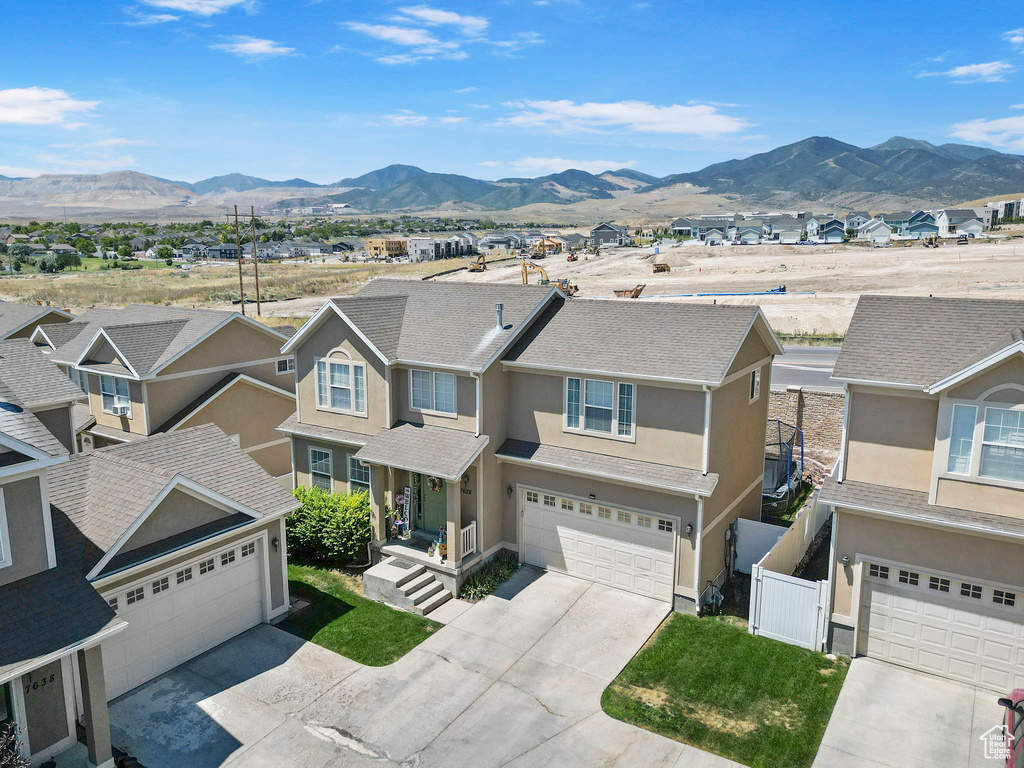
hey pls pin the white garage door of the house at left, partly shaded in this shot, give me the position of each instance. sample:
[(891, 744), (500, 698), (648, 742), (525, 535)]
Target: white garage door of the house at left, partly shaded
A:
[(176, 616)]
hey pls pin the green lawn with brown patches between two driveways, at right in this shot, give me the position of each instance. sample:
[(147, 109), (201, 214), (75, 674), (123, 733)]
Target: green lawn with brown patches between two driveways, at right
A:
[(711, 685)]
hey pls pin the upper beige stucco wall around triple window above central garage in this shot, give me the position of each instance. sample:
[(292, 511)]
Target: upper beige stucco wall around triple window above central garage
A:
[(669, 420)]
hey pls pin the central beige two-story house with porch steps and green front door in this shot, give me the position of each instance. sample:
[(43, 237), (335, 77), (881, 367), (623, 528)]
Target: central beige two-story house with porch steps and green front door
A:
[(612, 441)]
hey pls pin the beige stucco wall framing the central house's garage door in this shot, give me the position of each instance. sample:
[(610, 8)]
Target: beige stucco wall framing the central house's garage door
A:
[(682, 508)]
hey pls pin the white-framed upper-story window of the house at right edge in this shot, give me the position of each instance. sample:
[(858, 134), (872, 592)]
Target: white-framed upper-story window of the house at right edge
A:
[(1001, 435)]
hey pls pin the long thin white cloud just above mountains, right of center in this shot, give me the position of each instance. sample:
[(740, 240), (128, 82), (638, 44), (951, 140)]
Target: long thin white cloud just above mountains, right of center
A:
[(643, 117)]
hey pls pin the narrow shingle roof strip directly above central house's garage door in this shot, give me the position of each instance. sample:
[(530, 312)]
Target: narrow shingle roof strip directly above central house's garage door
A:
[(662, 477)]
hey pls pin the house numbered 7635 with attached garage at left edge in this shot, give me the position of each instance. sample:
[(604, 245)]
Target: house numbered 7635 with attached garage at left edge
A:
[(118, 565)]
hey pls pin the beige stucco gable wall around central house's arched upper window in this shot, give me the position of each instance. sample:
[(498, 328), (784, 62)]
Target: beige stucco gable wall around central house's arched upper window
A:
[(335, 334)]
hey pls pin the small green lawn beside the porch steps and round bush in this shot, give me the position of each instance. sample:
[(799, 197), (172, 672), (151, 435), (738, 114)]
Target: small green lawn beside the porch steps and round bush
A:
[(349, 624)]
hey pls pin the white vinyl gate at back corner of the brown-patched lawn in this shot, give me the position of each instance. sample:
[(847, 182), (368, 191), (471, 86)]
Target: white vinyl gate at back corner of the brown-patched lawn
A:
[(788, 609)]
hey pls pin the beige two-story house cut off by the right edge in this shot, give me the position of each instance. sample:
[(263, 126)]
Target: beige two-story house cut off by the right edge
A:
[(928, 565)]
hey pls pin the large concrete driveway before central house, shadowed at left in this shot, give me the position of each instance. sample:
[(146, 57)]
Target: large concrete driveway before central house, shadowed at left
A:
[(516, 680)]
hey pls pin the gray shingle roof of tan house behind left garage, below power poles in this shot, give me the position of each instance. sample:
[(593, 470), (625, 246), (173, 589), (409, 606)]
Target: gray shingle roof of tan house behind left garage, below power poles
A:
[(149, 336)]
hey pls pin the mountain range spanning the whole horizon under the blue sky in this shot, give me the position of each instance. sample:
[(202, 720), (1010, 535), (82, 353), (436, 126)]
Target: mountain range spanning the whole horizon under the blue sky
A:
[(902, 172)]
